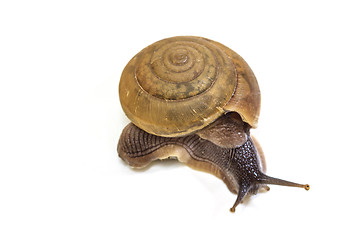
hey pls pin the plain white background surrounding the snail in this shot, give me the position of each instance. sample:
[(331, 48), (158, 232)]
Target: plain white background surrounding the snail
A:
[(61, 178)]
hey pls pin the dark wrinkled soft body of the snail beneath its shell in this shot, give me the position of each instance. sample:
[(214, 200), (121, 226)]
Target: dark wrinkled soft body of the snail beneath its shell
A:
[(240, 167)]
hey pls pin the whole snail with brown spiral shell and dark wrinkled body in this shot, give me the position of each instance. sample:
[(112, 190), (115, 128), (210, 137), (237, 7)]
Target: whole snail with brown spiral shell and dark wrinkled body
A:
[(196, 100)]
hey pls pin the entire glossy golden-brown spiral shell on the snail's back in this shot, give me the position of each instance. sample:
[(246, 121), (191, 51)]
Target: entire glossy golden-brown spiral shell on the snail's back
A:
[(179, 85)]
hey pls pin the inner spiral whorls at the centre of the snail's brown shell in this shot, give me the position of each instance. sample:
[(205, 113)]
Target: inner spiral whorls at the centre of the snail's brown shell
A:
[(178, 70)]
